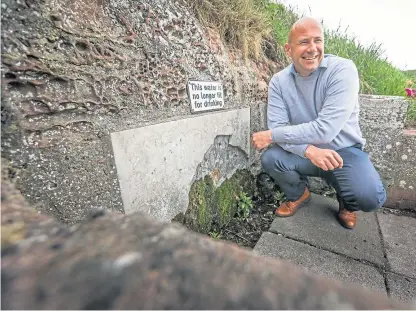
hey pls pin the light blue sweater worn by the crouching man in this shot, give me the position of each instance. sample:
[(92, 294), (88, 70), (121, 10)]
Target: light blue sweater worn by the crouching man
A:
[(320, 110)]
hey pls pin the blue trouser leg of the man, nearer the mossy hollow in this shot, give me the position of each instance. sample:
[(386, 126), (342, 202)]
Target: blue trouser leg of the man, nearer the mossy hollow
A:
[(288, 170)]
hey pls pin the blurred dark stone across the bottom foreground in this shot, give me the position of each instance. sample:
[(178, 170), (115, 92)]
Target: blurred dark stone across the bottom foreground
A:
[(118, 262)]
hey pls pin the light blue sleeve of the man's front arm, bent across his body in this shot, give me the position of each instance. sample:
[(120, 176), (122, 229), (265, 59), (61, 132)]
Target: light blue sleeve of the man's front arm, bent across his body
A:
[(341, 98)]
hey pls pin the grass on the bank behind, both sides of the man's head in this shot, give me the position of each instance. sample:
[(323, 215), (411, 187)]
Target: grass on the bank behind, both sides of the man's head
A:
[(251, 25)]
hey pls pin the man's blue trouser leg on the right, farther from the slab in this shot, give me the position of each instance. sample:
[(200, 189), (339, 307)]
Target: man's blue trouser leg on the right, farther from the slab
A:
[(358, 184)]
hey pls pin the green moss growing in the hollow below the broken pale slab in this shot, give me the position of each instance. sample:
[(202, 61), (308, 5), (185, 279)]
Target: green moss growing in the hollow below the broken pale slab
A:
[(212, 208)]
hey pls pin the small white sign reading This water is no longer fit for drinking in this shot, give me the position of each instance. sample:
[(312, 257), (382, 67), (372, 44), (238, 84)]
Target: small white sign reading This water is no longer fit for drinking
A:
[(205, 95)]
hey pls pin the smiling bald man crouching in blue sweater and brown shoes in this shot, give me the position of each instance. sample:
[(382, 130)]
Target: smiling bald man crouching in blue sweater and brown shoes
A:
[(313, 128)]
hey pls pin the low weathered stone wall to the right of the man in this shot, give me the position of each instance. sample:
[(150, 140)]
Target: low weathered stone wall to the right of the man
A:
[(390, 147)]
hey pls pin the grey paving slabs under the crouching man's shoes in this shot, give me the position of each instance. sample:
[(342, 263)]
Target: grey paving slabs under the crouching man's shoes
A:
[(379, 254)]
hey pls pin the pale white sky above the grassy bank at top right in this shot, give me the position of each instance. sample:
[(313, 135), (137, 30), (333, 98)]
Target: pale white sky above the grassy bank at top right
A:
[(389, 22)]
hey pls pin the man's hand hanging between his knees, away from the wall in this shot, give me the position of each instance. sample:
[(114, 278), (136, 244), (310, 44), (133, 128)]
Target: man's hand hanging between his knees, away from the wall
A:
[(325, 159)]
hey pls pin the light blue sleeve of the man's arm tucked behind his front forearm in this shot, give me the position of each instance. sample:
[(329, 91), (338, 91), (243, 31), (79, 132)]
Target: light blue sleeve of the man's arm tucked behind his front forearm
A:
[(278, 115)]
